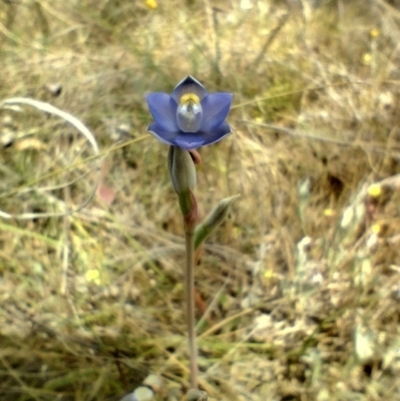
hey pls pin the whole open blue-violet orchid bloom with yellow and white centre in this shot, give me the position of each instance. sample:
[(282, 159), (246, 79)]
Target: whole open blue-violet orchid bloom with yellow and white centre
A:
[(189, 117)]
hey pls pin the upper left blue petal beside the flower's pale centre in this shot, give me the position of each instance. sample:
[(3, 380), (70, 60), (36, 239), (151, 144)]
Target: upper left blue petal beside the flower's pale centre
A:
[(163, 109)]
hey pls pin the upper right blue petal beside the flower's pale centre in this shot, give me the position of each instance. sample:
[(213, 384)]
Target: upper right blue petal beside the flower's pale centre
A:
[(215, 110)]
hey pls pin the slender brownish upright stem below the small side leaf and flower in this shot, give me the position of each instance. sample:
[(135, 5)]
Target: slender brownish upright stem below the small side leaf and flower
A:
[(190, 305)]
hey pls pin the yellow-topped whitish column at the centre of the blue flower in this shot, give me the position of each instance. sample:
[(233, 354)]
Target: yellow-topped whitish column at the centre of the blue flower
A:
[(189, 113)]
